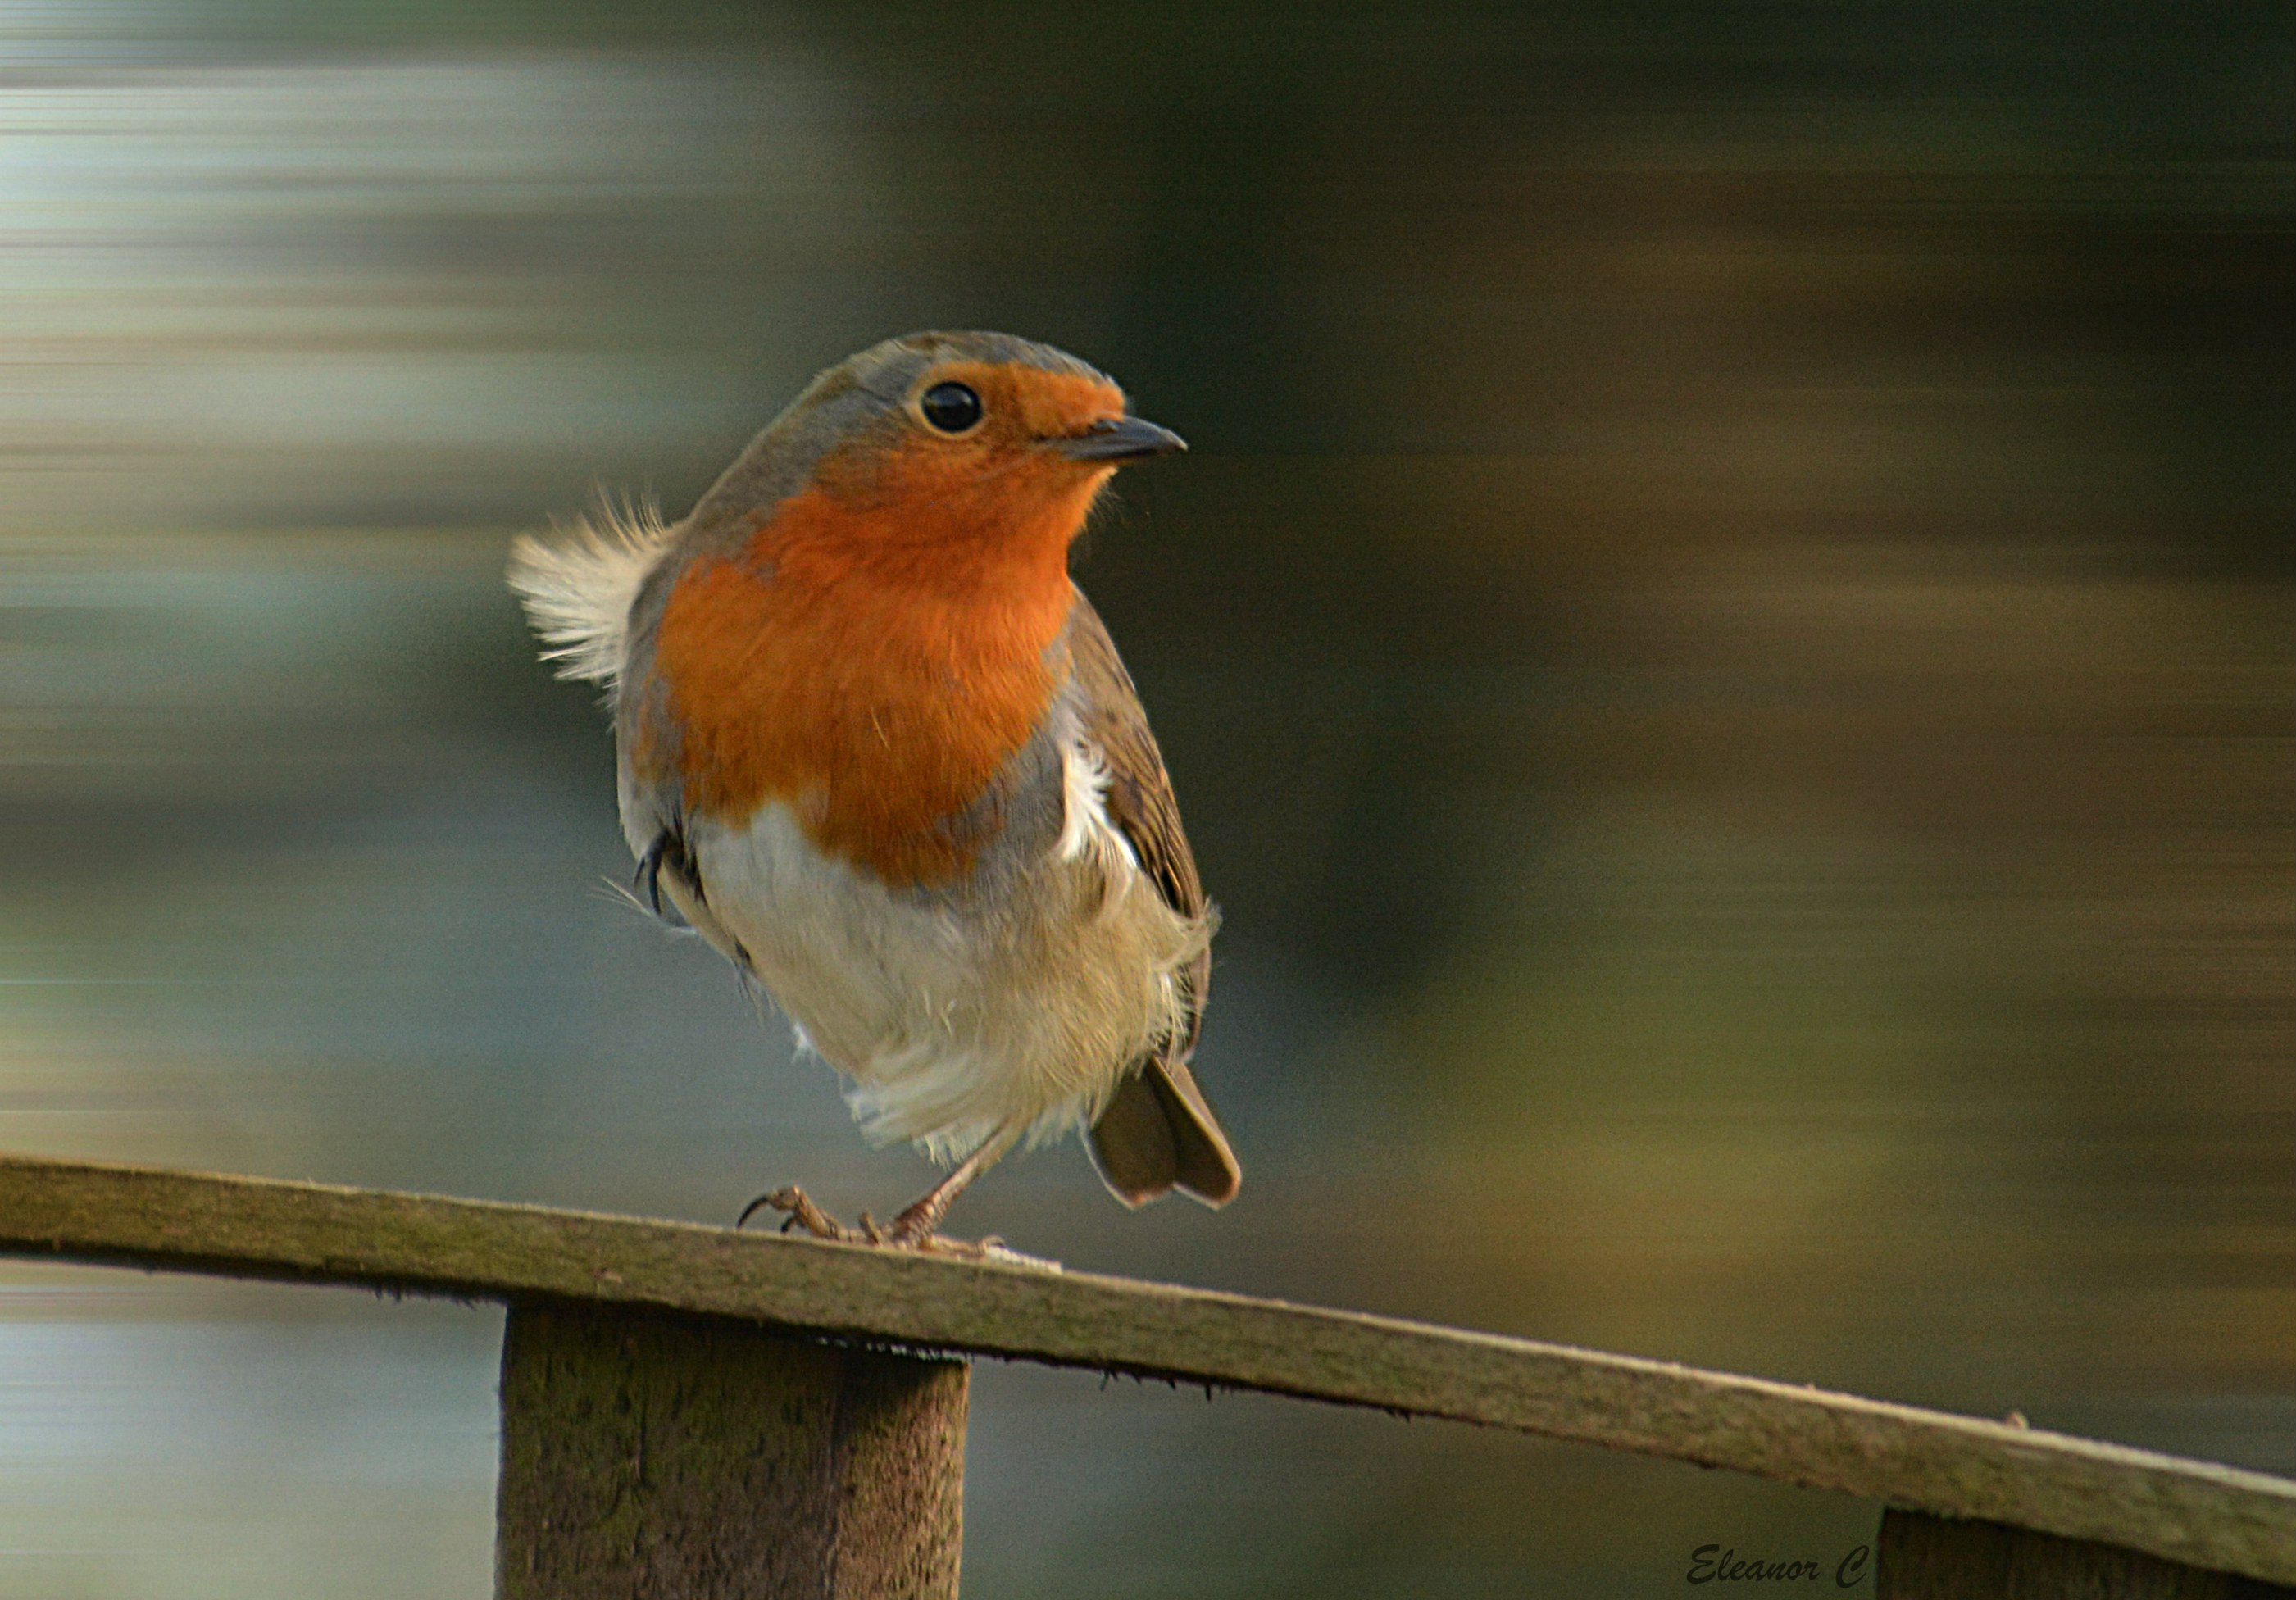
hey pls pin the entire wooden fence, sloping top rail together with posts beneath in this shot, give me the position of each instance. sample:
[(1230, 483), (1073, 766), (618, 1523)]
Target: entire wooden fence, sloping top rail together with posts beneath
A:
[(706, 1413)]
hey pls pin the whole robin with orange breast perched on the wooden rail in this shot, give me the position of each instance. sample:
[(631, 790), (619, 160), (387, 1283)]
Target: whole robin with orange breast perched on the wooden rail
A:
[(881, 752)]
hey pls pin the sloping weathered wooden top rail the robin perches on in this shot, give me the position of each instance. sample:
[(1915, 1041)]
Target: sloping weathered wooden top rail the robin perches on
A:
[(1927, 1461)]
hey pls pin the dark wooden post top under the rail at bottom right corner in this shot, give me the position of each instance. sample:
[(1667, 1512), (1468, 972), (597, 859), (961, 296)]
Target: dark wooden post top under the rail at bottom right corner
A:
[(1925, 1558)]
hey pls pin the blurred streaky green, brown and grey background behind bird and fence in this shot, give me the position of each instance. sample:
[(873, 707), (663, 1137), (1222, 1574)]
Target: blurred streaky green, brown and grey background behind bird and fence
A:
[(1725, 644)]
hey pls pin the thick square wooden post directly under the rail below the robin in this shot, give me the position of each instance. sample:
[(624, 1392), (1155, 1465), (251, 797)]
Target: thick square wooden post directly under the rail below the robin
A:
[(699, 1459)]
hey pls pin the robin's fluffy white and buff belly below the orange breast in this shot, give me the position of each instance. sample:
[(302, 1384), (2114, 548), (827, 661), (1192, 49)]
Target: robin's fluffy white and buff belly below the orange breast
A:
[(1014, 1007)]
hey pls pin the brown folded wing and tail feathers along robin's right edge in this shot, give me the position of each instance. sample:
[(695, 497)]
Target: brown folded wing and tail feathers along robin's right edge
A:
[(1158, 1131)]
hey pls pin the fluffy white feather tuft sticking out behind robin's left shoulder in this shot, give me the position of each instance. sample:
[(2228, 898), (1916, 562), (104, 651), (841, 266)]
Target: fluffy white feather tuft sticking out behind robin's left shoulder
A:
[(582, 584)]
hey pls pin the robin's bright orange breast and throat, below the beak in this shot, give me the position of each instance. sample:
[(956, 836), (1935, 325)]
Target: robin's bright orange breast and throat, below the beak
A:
[(874, 662)]
